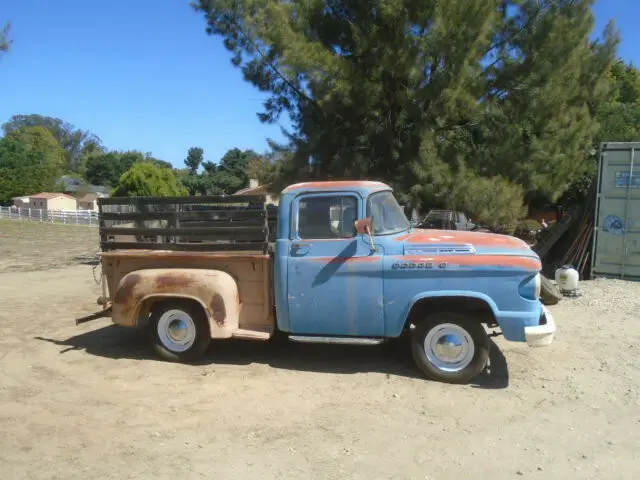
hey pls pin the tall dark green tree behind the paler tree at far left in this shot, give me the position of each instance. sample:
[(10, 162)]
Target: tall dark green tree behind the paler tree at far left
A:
[(73, 140)]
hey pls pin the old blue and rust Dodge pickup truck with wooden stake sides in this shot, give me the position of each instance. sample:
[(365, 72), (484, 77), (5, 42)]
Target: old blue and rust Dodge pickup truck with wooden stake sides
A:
[(335, 262)]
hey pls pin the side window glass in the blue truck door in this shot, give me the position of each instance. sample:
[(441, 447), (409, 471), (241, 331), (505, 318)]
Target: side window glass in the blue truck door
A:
[(327, 217)]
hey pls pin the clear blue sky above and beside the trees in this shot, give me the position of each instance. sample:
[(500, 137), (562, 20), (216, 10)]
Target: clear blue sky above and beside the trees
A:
[(143, 74)]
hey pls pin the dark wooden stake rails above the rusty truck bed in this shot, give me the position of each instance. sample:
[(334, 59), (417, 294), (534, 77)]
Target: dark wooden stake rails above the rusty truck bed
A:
[(204, 223)]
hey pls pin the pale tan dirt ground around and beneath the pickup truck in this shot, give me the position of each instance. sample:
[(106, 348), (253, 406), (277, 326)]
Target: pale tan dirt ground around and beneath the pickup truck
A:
[(91, 402)]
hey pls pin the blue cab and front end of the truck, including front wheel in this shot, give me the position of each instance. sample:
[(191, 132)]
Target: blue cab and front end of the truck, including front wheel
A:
[(441, 287)]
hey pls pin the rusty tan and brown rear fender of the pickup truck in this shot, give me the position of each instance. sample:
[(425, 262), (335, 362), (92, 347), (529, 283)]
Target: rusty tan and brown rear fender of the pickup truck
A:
[(215, 291)]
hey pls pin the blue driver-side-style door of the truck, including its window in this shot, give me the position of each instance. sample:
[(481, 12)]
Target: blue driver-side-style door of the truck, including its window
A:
[(334, 281)]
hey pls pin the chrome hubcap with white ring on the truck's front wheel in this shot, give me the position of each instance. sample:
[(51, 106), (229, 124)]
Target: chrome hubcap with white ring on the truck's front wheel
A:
[(449, 347)]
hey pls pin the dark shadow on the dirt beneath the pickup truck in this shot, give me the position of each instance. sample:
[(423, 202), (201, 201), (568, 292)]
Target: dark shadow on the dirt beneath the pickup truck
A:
[(393, 358)]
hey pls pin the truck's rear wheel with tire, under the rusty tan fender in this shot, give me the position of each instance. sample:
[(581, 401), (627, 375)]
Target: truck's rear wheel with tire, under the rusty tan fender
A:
[(179, 331)]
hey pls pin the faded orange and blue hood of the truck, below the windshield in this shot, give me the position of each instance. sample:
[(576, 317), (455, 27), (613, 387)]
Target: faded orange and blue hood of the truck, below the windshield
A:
[(421, 241)]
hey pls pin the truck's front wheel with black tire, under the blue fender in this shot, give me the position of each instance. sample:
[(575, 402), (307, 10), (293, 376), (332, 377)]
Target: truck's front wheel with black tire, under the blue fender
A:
[(450, 347)]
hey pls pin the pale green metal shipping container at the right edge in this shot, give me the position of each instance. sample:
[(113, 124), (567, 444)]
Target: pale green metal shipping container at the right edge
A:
[(616, 245)]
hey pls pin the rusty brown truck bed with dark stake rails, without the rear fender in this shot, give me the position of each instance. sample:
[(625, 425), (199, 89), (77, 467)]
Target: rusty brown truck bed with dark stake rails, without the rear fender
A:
[(230, 234)]
